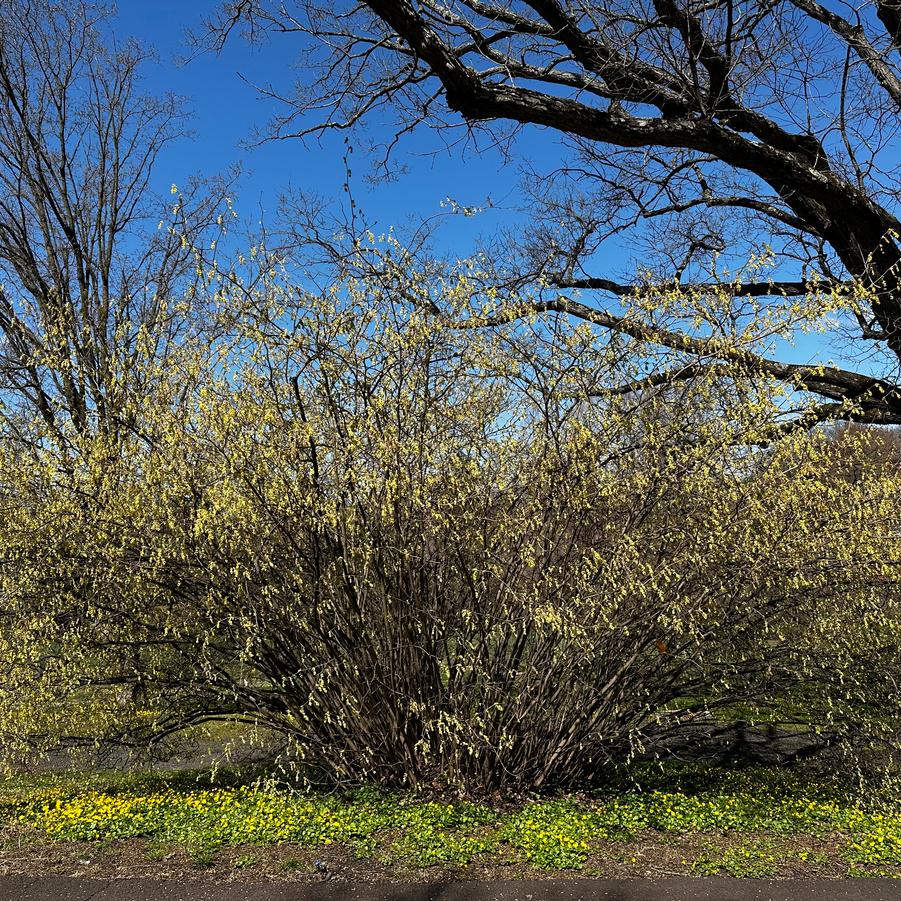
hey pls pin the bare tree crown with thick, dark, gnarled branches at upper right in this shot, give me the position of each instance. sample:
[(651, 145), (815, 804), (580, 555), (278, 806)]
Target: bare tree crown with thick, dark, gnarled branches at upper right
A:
[(699, 128)]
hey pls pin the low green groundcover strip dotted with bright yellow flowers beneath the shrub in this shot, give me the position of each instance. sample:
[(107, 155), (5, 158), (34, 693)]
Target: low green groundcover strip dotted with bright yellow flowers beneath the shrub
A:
[(203, 815)]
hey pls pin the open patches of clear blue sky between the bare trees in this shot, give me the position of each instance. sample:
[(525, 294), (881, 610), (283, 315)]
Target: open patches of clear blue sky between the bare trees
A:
[(226, 108)]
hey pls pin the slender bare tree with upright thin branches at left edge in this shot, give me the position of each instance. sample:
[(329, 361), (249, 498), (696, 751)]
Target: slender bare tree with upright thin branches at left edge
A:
[(92, 264)]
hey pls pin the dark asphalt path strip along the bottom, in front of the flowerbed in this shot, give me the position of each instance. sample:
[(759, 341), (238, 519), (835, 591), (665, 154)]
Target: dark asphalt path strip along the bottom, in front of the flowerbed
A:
[(60, 888)]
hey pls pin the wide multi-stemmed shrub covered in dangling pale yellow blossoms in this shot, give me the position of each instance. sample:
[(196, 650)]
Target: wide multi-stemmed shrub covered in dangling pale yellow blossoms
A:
[(427, 552)]
